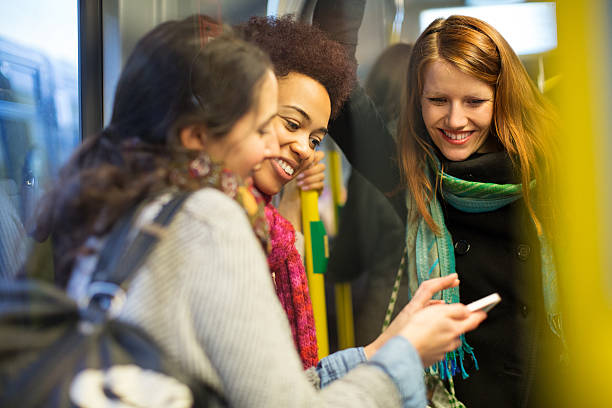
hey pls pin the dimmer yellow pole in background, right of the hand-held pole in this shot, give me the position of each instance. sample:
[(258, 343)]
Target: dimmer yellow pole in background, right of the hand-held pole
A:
[(342, 291)]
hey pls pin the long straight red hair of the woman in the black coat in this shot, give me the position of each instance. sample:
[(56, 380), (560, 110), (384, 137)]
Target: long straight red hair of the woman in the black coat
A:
[(524, 123)]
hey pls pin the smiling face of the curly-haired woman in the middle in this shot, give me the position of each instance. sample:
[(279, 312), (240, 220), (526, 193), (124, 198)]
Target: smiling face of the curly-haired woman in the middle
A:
[(304, 108)]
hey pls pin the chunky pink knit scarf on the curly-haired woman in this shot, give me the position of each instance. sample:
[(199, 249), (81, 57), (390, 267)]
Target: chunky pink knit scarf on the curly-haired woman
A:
[(291, 285)]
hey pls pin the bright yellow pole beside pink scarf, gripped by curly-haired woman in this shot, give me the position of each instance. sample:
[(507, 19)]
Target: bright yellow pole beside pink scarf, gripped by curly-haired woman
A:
[(316, 282)]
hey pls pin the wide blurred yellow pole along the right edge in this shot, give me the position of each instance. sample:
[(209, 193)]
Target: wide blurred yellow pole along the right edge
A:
[(583, 257)]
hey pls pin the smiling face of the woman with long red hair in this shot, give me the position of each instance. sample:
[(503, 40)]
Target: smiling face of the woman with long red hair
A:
[(457, 111)]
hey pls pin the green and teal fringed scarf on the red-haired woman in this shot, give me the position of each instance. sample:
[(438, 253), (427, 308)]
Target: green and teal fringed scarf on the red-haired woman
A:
[(430, 256)]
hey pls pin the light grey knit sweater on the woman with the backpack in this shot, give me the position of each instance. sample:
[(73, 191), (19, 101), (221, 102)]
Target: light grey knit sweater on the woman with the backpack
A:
[(229, 317)]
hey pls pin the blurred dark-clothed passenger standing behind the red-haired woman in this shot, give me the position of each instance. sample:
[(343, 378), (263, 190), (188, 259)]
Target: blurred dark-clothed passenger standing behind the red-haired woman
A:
[(368, 247)]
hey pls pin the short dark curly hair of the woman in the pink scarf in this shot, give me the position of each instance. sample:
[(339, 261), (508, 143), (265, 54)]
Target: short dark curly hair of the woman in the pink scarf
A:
[(302, 48)]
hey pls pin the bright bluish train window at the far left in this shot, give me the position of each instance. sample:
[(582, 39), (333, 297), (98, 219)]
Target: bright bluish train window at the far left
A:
[(39, 111)]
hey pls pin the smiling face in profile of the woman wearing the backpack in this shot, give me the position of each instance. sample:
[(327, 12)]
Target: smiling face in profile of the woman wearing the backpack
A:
[(253, 138)]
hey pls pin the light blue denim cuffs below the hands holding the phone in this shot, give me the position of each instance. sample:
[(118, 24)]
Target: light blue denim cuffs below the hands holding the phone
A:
[(398, 358)]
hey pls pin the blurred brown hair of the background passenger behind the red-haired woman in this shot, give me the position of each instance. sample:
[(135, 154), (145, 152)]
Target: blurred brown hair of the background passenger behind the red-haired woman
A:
[(386, 79)]
